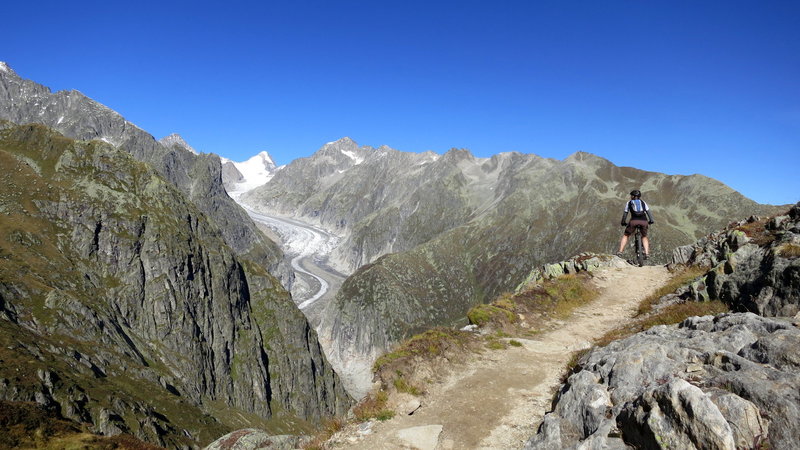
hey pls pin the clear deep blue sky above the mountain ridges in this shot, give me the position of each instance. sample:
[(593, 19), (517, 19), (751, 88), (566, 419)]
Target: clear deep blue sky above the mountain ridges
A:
[(667, 86)]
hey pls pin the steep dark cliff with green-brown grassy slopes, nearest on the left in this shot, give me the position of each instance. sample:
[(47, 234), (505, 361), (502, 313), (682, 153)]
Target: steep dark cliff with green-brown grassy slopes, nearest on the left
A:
[(122, 305)]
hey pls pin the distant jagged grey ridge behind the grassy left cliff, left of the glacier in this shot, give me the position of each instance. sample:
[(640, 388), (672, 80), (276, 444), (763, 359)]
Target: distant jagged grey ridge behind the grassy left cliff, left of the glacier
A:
[(196, 175)]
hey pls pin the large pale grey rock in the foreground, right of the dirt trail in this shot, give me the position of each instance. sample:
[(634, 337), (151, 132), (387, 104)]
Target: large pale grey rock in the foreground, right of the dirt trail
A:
[(723, 382)]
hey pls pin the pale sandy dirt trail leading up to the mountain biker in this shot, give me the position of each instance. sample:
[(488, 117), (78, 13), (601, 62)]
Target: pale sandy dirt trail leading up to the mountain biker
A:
[(497, 400)]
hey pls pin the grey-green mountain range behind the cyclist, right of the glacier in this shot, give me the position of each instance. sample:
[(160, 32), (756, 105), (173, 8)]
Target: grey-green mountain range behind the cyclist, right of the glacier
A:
[(425, 236)]
